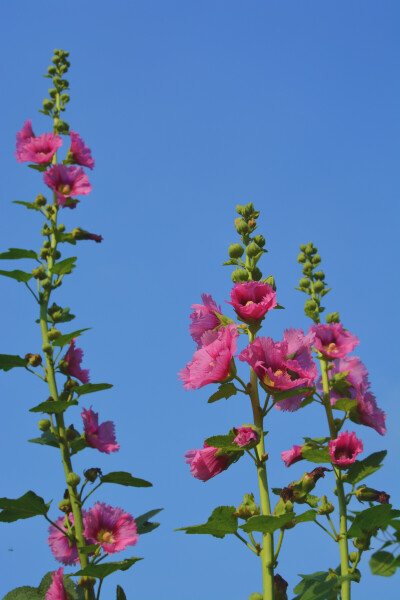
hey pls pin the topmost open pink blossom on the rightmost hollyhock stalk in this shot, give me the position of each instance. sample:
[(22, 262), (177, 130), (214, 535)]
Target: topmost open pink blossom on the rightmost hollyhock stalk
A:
[(332, 341)]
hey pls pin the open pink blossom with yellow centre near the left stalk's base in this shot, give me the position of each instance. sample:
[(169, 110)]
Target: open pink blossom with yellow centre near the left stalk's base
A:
[(111, 528)]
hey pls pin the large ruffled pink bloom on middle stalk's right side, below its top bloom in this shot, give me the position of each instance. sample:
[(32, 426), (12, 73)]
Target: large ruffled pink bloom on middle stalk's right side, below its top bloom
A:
[(276, 371)]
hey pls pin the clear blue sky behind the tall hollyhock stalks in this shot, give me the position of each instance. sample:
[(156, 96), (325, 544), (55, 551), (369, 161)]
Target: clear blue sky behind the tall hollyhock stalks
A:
[(191, 108)]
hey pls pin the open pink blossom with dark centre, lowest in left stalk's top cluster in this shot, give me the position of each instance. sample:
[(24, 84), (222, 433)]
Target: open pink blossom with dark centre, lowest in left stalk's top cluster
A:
[(67, 181)]
